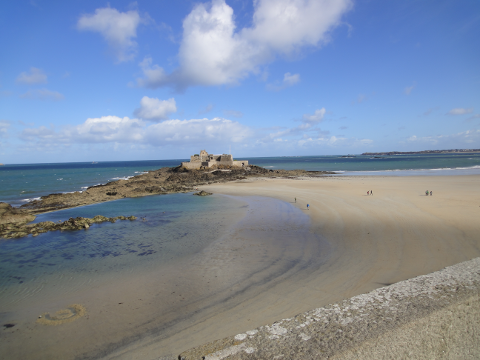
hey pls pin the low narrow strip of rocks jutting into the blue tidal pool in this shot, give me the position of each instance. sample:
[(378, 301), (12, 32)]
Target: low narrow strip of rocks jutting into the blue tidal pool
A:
[(18, 229)]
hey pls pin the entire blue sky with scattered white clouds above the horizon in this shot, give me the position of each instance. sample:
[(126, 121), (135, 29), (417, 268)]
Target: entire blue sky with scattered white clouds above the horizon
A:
[(147, 80)]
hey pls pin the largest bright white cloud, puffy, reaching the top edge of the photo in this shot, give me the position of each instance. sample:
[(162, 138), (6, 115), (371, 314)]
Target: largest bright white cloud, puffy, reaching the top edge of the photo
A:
[(214, 52)]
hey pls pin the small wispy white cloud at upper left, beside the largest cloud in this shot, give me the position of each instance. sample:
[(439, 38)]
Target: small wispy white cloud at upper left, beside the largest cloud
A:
[(118, 29)]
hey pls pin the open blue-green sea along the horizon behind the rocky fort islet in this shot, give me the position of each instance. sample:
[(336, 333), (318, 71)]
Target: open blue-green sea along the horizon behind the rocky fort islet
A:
[(22, 183)]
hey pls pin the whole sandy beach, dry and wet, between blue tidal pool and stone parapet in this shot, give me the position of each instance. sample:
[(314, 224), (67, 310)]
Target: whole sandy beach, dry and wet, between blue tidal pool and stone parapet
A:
[(283, 259)]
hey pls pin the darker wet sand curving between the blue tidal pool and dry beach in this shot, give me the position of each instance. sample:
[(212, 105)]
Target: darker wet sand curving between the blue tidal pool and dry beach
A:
[(166, 304)]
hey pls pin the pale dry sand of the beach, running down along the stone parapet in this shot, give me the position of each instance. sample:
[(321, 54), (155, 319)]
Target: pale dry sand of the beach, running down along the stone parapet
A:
[(396, 234)]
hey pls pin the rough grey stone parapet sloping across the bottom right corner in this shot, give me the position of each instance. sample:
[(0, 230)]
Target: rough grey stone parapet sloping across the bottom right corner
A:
[(340, 328)]
